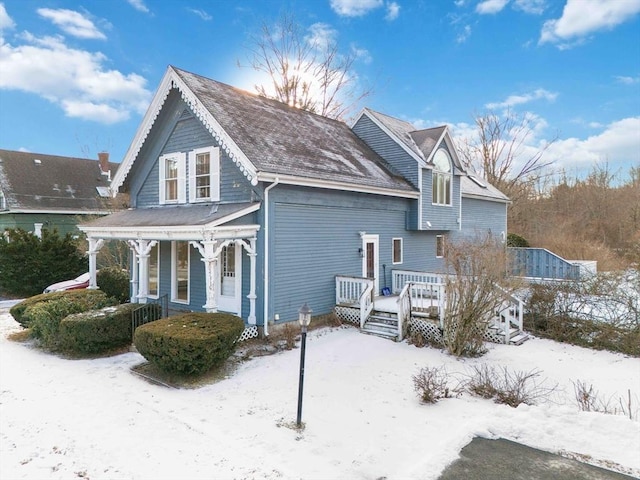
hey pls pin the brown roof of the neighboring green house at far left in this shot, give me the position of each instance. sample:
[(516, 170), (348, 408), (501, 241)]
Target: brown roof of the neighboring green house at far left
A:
[(40, 183)]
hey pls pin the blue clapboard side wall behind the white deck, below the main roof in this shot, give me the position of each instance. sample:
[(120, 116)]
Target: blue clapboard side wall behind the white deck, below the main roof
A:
[(316, 236)]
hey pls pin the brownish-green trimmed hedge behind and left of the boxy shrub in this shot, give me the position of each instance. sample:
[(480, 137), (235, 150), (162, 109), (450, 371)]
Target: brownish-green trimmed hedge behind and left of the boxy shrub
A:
[(44, 317)]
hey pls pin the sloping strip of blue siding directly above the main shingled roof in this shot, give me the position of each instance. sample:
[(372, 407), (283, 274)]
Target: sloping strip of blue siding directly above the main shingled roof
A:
[(387, 148)]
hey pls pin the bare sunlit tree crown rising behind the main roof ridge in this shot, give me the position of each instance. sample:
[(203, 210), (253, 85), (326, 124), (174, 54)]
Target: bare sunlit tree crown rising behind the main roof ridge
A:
[(305, 70)]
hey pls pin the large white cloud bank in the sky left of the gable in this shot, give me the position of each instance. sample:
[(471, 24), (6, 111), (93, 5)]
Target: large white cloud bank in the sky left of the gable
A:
[(84, 88)]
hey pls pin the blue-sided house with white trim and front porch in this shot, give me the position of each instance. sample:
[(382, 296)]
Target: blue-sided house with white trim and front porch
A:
[(243, 204)]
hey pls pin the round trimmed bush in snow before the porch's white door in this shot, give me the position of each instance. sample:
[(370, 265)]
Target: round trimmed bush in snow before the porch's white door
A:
[(190, 343)]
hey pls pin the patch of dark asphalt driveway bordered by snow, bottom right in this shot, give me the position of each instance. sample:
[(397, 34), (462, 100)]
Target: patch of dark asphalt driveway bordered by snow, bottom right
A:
[(485, 459)]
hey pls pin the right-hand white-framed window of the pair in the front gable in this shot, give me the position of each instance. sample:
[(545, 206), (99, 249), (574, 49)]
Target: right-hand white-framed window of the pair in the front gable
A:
[(204, 175)]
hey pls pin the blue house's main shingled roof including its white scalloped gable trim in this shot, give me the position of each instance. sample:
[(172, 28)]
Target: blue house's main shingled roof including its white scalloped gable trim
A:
[(269, 139)]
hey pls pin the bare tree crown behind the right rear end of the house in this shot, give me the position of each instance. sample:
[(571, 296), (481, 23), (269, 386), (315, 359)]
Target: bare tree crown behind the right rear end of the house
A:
[(500, 152)]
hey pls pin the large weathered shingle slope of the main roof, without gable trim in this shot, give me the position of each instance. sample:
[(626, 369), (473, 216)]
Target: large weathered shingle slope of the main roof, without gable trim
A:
[(279, 139)]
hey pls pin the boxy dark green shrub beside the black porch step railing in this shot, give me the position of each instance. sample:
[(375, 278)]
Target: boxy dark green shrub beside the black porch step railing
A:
[(97, 331)]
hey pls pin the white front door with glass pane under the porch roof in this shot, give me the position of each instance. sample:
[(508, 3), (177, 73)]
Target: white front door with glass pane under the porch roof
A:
[(230, 279)]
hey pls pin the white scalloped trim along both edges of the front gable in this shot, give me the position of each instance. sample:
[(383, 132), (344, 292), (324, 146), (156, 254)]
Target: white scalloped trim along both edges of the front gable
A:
[(170, 81)]
